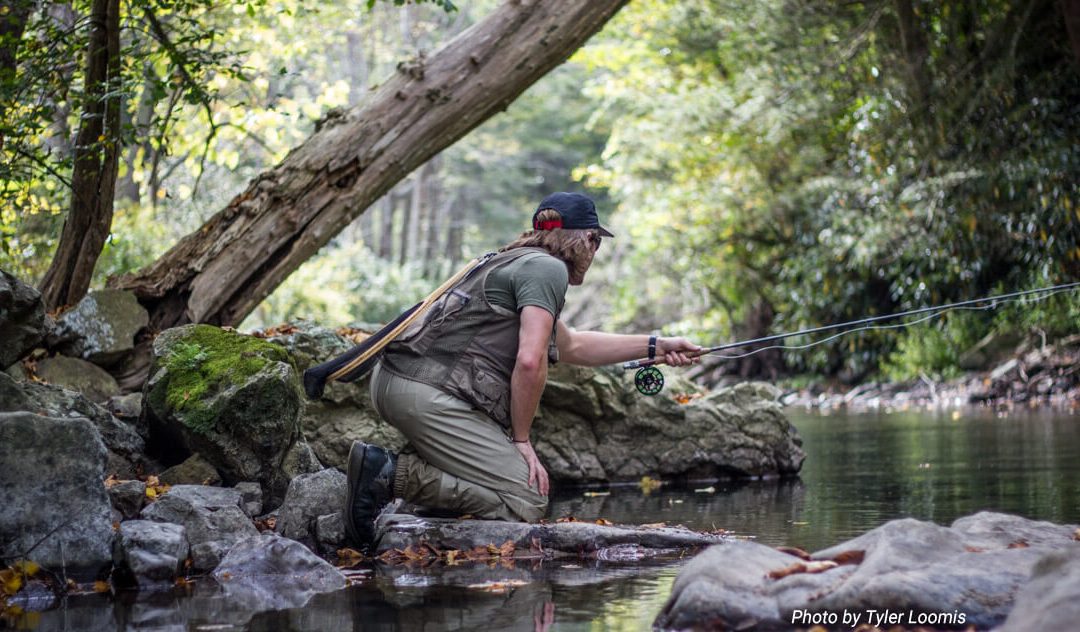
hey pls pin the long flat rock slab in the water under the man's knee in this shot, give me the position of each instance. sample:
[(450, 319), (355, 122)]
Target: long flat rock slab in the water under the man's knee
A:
[(578, 540)]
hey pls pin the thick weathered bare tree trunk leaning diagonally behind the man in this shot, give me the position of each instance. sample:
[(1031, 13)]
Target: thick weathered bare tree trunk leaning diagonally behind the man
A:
[(220, 273)]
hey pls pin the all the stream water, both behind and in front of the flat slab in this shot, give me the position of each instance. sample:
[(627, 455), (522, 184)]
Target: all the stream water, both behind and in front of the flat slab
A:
[(860, 473)]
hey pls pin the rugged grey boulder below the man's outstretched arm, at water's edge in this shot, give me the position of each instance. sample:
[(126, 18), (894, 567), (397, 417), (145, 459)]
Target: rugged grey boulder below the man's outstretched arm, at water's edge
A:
[(595, 427)]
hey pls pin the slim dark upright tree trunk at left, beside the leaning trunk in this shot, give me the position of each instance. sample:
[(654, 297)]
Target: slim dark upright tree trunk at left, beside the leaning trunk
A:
[(97, 159)]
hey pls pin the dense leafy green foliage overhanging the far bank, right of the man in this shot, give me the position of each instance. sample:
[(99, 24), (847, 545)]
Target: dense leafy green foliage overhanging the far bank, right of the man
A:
[(796, 156)]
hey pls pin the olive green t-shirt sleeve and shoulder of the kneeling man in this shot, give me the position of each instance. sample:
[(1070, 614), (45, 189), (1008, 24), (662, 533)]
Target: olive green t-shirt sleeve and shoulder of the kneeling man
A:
[(541, 280)]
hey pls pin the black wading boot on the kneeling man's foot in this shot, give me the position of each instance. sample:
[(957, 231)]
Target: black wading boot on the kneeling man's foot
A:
[(371, 480)]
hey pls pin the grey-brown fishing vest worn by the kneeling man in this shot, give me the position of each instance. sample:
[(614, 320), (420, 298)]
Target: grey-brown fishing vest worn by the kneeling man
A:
[(465, 346)]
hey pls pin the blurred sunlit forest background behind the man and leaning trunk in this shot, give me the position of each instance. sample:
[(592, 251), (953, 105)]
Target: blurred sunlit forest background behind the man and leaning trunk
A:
[(766, 167)]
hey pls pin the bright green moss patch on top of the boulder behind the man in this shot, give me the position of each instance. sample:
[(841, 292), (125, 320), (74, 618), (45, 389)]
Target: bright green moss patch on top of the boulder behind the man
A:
[(209, 361)]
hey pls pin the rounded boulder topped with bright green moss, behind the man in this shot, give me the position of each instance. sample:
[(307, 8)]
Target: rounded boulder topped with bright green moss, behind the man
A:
[(234, 399)]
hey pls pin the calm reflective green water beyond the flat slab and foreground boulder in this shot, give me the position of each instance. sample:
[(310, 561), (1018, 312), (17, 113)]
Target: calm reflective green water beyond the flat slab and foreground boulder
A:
[(865, 470)]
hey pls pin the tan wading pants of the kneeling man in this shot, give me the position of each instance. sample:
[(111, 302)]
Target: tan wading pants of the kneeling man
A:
[(458, 459)]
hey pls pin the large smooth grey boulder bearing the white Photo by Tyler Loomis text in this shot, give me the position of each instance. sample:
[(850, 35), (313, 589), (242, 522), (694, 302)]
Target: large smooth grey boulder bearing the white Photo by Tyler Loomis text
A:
[(968, 574)]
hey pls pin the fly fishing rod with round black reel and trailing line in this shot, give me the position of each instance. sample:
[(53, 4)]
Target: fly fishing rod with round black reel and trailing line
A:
[(650, 381)]
